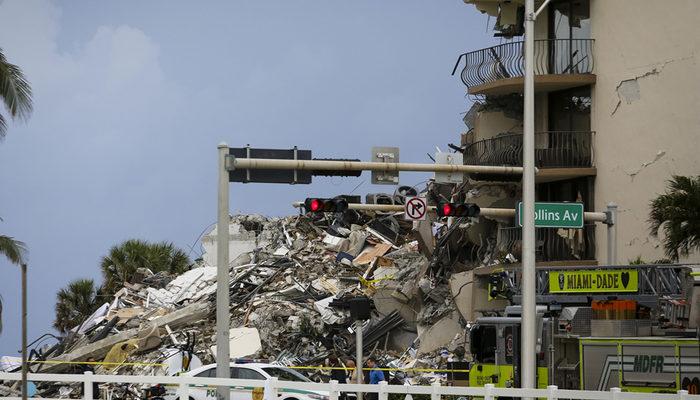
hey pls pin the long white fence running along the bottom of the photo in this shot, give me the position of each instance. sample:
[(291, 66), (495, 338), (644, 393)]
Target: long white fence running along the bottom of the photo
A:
[(273, 385)]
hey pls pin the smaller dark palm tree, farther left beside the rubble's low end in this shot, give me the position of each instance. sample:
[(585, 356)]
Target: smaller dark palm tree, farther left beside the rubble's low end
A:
[(74, 304)]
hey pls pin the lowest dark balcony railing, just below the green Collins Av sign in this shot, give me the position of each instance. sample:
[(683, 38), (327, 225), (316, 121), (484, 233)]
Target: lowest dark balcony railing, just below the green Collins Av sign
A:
[(551, 244)]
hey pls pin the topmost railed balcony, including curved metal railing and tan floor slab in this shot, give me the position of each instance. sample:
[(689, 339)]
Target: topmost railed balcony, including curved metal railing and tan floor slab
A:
[(559, 64)]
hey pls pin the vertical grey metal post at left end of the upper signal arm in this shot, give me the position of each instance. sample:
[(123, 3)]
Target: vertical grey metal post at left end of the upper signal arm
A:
[(223, 317)]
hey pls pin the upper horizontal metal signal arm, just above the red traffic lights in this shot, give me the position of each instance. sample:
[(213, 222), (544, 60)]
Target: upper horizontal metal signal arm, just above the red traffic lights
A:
[(323, 165)]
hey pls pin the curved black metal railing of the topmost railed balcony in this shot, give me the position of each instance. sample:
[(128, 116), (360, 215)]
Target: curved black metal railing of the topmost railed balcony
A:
[(552, 56)]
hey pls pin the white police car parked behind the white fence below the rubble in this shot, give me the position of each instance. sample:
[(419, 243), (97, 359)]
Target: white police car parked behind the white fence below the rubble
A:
[(256, 371)]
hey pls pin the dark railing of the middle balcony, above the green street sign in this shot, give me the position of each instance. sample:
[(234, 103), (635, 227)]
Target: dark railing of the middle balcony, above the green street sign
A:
[(557, 149)]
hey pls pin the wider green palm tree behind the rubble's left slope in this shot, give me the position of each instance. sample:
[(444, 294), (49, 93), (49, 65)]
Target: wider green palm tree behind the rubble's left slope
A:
[(124, 259)]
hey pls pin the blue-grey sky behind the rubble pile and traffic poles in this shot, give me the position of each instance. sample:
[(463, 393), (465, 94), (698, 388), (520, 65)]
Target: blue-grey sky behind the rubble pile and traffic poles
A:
[(132, 97)]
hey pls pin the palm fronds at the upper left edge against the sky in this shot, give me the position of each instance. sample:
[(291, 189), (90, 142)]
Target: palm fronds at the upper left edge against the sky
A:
[(15, 92)]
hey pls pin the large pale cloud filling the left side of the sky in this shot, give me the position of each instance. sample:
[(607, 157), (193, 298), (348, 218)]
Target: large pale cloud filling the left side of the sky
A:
[(76, 176)]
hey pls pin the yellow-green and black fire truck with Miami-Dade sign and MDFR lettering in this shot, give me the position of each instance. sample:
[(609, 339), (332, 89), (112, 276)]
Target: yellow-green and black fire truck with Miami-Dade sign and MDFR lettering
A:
[(632, 327)]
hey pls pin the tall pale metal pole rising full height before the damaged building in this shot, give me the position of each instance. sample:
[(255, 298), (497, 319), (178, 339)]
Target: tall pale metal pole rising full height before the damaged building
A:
[(528, 327)]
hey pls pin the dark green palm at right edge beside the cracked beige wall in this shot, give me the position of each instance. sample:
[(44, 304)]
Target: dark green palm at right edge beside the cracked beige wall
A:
[(677, 213)]
